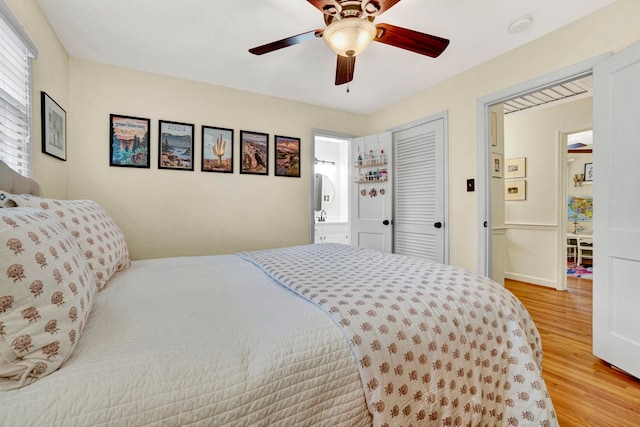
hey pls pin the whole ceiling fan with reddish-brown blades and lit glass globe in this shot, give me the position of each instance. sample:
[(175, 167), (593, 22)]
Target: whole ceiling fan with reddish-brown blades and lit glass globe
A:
[(350, 29)]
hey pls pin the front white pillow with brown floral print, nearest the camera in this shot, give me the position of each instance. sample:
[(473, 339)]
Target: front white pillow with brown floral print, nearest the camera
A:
[(46, 295)]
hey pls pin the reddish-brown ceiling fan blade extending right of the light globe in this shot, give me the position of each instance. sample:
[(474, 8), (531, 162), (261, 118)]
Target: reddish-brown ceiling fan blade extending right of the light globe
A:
[(424, 44)]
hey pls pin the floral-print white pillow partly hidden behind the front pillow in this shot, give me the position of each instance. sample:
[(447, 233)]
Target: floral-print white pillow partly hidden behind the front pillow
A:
[(100, 239)]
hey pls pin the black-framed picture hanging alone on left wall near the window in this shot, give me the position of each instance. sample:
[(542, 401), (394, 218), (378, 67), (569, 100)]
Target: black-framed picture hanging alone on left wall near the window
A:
[(54, 127)]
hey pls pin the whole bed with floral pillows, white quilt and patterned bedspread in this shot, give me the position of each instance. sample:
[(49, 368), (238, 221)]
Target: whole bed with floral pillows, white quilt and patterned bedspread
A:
[(311, 335)]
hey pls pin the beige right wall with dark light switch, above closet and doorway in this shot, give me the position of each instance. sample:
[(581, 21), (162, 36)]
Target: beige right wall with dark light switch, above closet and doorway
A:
[(610, 29)]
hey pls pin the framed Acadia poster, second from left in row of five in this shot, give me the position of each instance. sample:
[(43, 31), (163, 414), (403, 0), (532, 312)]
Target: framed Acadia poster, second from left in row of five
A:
[(175, 145)]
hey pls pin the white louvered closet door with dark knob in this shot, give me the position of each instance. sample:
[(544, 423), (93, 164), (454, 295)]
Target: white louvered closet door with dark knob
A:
[(419, 191)]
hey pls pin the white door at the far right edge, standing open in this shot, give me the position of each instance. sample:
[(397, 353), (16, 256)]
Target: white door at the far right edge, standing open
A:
[(616, 229)]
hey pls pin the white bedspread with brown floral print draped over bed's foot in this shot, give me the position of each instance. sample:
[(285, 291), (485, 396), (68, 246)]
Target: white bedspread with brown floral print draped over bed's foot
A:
[(434, 344)]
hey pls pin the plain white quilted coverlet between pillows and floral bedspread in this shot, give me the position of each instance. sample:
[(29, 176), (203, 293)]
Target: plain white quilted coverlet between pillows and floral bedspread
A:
[(202, 341)]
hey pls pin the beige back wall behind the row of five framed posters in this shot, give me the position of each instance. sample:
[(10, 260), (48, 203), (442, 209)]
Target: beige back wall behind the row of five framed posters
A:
[(170, 212)]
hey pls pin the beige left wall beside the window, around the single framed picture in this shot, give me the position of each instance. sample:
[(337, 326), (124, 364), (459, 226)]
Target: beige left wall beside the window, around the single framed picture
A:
[(50, 74)]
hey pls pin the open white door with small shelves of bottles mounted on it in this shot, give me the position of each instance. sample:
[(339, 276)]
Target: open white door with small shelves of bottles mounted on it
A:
[(372, 192)]
